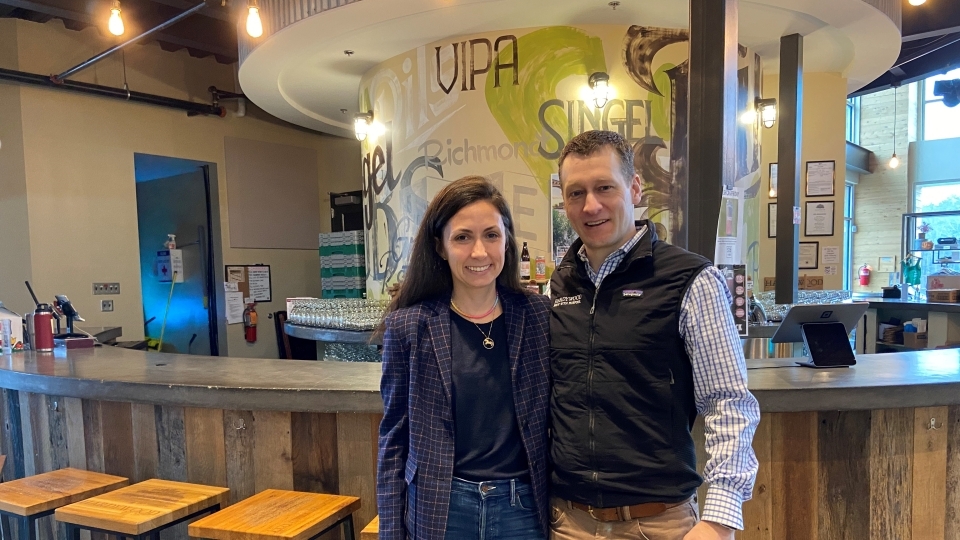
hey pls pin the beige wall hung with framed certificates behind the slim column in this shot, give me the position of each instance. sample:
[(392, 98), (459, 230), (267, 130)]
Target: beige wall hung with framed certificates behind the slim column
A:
[(824, 107)]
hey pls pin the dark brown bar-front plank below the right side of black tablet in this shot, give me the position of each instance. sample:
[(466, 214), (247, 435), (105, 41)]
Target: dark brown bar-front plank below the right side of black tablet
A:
[(844, 456)]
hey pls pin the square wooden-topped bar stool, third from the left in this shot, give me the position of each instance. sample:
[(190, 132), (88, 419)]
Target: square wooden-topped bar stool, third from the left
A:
[(276, 514)]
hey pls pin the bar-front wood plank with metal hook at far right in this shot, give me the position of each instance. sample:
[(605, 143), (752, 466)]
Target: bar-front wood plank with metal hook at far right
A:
[(930, 425)]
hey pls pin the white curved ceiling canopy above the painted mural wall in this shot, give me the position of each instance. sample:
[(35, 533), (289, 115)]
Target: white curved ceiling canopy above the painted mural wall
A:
[(303, 75)]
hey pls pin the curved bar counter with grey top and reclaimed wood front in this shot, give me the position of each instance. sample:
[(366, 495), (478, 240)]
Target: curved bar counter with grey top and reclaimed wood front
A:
[(842, 451)]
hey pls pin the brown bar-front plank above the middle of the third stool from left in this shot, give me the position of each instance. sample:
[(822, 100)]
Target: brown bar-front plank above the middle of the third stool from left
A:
[(272, 452)]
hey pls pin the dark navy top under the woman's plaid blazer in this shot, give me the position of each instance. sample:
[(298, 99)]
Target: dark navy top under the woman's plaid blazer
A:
[(488, 444)]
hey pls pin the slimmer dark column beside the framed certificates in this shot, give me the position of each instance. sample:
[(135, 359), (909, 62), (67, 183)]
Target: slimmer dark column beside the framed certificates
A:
[(789, 128)]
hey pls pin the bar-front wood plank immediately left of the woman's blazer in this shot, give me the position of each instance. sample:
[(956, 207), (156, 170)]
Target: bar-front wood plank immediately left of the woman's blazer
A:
[(356, 437)]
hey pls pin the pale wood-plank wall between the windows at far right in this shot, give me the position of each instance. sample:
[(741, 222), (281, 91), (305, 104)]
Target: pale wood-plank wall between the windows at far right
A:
[(882, 197)]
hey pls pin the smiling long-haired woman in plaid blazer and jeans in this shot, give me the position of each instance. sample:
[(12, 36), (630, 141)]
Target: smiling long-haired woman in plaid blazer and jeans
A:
[(465, 384)]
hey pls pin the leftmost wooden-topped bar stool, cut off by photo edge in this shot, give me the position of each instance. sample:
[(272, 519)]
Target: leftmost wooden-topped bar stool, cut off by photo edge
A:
[(29, 499)]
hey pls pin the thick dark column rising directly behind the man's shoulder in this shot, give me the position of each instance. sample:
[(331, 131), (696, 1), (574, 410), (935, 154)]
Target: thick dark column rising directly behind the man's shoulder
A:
[(712, 112)]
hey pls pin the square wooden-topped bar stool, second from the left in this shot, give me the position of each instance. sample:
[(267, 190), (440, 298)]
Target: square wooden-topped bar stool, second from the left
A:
[(142, 510)]
